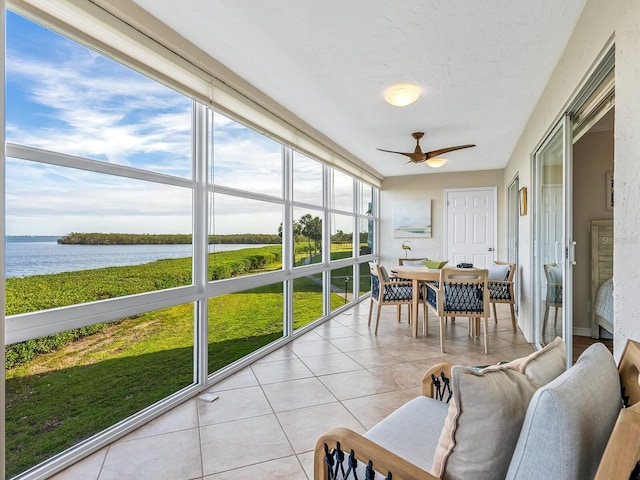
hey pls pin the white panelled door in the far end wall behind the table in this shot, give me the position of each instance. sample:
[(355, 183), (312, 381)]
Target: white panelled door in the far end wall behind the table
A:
[(471, 226)]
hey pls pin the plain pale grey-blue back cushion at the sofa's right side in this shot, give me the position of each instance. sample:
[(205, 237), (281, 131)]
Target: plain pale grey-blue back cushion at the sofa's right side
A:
[(569, 421)]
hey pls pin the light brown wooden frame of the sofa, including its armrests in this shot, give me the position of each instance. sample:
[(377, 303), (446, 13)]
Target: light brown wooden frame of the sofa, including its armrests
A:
[(619, 458)]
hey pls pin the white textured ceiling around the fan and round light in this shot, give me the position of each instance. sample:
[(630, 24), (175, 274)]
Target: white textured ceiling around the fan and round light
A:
[(482, 65)]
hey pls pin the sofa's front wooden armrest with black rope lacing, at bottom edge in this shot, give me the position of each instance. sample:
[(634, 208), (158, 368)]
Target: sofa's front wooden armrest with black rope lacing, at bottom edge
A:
[(365, 450)]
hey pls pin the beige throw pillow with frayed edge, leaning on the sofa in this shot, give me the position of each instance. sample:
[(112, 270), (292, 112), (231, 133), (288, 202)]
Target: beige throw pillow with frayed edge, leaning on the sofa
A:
[(486, 413)]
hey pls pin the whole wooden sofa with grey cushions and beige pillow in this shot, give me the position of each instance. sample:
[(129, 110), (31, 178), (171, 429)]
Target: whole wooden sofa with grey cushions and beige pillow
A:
[(528, 419)]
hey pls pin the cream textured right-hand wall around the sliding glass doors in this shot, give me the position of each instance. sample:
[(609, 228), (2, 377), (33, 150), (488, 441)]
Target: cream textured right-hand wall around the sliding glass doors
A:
[(601, 21)]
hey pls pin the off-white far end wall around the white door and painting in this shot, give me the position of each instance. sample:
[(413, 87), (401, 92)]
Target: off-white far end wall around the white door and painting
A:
[(432, 186)]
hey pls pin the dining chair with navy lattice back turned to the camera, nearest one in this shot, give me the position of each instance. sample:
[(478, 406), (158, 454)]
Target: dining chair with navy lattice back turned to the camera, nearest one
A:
[(461, 292)]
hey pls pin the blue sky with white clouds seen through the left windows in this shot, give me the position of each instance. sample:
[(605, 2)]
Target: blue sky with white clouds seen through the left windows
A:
[(64, 97)]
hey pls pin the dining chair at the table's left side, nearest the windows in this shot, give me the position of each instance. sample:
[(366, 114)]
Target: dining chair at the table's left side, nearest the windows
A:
[(386, 290)]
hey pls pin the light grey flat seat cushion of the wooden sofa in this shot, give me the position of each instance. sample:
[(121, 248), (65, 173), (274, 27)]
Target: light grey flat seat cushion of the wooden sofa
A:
[(409, 430)]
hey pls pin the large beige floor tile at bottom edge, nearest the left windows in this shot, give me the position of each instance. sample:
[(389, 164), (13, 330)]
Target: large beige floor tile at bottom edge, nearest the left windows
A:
[(155, 458)]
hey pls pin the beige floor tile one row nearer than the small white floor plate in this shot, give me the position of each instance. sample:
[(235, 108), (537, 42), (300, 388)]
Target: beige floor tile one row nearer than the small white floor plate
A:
[(236, 444)]
